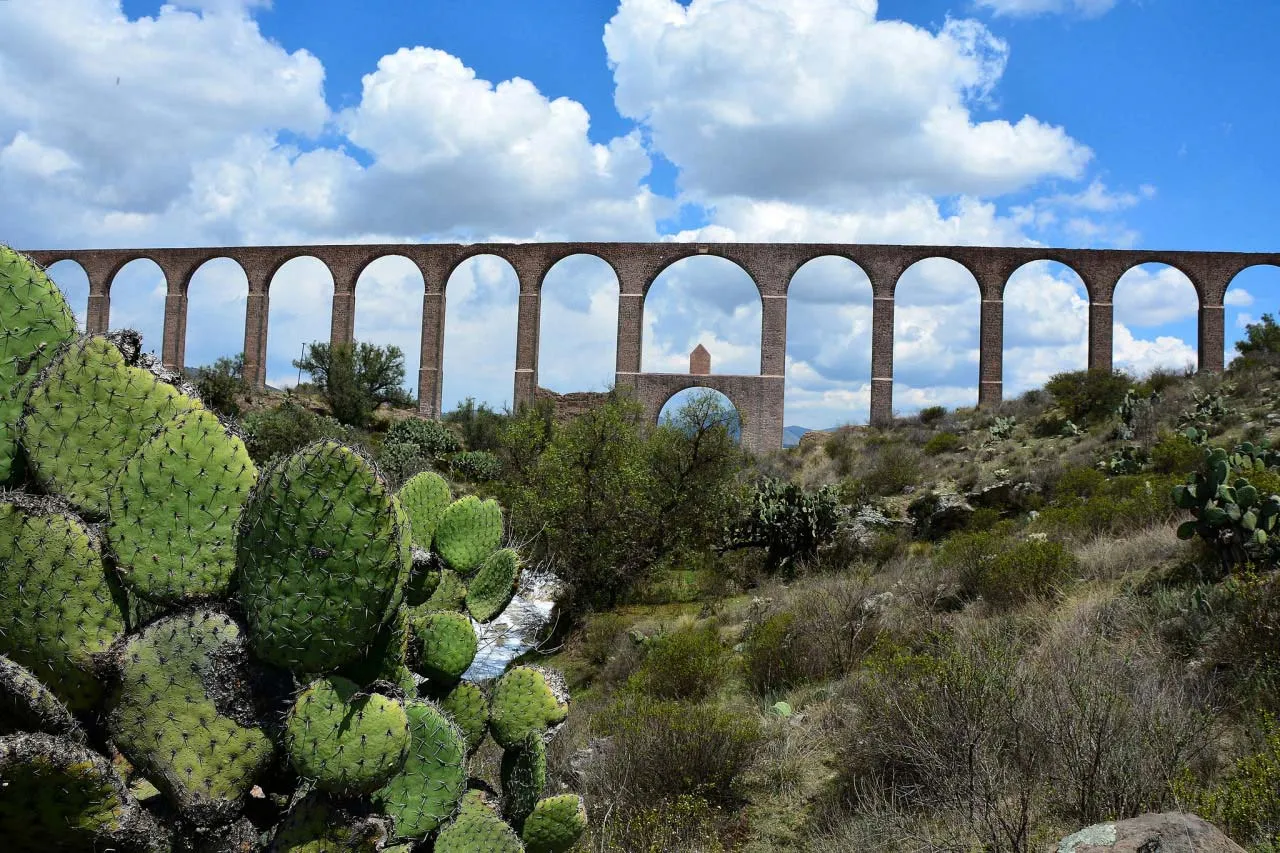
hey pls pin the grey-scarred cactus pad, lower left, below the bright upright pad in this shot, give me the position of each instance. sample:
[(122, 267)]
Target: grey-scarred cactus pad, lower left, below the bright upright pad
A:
[(181, 714)]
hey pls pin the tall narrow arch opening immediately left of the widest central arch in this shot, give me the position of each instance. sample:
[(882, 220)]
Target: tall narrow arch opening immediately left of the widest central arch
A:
[(579, 340)]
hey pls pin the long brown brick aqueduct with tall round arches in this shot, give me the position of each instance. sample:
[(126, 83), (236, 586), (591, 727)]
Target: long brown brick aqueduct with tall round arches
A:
[(637, 266)]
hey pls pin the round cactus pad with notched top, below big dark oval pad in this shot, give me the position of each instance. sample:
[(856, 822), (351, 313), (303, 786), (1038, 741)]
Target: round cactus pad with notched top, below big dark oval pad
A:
[(349, 742)]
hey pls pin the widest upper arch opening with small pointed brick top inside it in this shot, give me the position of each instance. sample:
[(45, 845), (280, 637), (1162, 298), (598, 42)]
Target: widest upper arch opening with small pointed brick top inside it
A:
[(703, 300)]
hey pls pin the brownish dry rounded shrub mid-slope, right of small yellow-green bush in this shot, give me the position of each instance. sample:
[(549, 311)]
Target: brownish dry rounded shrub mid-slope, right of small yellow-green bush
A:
[(821, 633)]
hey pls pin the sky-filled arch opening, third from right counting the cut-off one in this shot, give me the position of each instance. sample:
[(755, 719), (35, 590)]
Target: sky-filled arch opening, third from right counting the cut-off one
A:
[(1046, 326)]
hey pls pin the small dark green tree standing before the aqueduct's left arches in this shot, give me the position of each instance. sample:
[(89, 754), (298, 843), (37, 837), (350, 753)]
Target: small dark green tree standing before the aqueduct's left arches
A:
[(356, 378)]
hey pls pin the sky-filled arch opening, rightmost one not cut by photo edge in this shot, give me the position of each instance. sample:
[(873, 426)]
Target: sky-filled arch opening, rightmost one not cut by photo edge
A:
[(1156, 312)]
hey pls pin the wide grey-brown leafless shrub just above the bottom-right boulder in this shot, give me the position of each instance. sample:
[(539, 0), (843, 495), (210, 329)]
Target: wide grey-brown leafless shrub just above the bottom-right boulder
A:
[(1017, 733)]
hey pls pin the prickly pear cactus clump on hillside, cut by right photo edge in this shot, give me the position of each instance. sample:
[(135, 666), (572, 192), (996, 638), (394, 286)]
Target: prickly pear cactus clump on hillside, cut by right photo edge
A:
[(1231, 516)]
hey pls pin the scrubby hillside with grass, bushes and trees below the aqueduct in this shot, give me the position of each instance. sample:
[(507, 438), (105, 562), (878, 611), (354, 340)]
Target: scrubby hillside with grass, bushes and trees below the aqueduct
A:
[(970, 631)]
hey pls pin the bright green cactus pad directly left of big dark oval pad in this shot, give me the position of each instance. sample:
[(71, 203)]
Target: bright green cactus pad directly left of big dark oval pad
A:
[(175, 508)]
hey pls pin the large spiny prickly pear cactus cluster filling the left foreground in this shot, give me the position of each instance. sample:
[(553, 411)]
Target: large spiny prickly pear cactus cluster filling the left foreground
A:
[(196, 655)]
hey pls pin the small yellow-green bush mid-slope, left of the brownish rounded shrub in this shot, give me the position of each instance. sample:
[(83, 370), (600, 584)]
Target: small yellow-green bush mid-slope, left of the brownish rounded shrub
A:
[(688, 664)]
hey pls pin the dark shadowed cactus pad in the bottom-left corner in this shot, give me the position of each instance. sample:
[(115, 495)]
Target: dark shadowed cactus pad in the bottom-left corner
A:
[(60, 796)]
